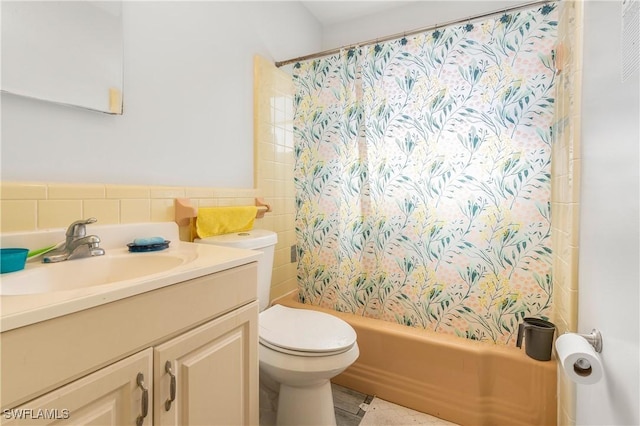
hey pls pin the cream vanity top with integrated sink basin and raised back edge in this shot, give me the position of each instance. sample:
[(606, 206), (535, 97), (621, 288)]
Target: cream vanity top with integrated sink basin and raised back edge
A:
[(45, 291)]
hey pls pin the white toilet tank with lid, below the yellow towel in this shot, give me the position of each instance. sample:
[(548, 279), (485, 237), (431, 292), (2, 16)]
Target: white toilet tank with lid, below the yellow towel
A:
[(255, 239)]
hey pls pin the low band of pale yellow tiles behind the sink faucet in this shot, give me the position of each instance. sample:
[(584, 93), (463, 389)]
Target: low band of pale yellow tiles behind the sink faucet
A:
[(29, 206)]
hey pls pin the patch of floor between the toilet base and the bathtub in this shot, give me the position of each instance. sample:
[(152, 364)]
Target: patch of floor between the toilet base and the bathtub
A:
[(357, 409)]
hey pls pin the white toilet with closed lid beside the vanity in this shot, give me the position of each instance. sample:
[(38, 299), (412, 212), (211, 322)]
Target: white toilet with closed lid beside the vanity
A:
[(300, 350)]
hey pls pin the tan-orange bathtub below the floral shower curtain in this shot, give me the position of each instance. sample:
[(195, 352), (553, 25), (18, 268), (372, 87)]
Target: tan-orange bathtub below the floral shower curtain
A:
[(456, 379)]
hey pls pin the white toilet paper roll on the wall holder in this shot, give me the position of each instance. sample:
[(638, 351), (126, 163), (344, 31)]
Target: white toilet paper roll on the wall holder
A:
[(578, 359)]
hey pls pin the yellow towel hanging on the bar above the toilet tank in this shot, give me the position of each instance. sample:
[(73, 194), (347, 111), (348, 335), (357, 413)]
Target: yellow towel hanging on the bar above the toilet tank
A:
[(224, 220)]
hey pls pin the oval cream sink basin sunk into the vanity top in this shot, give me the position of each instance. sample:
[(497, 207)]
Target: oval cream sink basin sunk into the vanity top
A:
[(89, 272)]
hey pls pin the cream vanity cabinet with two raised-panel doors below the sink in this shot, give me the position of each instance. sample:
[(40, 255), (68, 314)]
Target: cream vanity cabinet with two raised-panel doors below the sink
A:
[(192, 346)]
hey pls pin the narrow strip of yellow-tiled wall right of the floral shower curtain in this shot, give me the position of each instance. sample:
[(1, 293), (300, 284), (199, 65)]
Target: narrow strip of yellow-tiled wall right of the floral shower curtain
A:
[(565, 189)]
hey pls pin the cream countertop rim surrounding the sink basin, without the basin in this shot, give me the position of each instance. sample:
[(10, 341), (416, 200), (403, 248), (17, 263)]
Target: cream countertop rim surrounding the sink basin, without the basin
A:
[(201, 259)]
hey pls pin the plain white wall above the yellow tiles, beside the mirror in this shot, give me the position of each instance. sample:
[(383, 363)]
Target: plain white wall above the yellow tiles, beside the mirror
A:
[(188, 100)]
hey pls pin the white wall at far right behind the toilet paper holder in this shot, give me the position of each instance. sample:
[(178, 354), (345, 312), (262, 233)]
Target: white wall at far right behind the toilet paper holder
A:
[(609, 229)]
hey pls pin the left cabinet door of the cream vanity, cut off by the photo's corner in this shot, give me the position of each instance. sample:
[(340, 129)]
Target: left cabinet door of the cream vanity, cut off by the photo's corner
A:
[(110, 396)]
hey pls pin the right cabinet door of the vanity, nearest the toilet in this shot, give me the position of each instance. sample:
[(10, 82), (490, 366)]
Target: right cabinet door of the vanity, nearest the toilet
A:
[(214, 369)]
